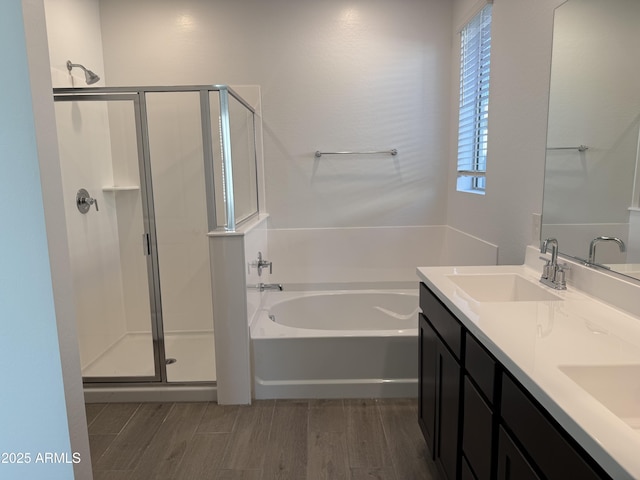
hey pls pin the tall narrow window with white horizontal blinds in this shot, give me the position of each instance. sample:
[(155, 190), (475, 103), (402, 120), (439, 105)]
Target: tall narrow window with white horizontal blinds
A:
[(474, 102)]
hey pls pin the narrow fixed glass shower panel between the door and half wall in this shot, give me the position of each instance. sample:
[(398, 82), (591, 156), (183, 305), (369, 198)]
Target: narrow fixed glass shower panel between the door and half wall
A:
[(177, 166)]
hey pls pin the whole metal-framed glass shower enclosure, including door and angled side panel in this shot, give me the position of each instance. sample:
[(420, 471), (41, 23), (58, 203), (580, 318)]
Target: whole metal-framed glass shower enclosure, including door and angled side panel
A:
[(148, 172)]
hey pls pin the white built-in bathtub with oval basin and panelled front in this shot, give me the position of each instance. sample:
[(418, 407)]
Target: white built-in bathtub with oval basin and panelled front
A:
[(336, 344)]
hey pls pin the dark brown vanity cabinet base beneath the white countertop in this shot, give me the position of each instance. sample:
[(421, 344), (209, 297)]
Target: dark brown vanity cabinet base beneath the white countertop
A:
[(478, 421)]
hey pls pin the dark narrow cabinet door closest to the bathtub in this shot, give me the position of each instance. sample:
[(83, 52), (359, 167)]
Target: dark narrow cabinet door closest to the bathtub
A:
[(427, 381)]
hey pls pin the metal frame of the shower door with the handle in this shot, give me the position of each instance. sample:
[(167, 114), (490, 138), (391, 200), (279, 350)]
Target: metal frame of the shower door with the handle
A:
[(146, 194)]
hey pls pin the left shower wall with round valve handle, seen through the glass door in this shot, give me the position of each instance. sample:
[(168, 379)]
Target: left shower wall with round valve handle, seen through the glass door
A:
[(85, 159)]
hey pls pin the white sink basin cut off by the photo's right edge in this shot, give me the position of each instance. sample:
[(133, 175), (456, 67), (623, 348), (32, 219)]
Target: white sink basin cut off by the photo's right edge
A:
[(617, 387)]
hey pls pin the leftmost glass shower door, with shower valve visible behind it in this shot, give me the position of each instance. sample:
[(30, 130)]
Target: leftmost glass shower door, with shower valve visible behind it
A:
[(110, 236)]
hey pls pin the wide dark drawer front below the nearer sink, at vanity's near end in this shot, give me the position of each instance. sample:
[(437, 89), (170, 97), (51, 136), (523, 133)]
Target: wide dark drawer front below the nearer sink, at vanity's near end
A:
[(544, 441)]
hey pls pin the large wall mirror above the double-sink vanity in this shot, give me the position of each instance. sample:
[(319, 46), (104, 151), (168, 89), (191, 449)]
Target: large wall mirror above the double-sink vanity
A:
[(592, 184)]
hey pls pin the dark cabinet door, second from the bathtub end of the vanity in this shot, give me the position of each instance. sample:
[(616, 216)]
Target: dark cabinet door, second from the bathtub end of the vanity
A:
[(448, 380)]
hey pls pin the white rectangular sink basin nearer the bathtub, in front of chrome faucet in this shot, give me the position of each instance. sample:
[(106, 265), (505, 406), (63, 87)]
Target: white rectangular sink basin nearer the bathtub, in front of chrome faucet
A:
[(502, 287)]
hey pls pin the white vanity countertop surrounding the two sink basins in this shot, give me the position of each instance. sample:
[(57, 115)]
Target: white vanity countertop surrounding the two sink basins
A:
[(537, 340)]
